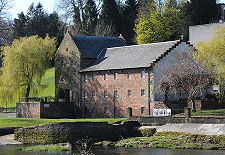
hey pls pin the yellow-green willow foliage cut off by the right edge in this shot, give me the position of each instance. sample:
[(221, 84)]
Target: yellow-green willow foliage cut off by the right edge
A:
[(211, 54)]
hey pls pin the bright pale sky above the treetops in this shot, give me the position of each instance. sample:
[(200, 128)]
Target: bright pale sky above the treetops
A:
[(23, 5)]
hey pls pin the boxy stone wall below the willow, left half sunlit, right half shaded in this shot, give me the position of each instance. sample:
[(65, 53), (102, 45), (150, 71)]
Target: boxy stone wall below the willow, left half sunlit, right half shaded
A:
[(46, 110)]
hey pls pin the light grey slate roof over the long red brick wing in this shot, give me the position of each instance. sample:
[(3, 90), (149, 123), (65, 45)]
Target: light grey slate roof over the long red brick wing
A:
[(136, 56)]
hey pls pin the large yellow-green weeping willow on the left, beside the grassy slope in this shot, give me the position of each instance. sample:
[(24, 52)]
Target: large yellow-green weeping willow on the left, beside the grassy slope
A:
[(24, 64)]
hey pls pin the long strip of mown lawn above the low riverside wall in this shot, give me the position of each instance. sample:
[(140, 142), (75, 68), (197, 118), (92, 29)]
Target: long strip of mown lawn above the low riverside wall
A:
[(25, 122)]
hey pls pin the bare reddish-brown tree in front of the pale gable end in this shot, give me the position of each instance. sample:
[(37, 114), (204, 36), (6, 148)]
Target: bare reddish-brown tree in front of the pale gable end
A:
[(184, 78)]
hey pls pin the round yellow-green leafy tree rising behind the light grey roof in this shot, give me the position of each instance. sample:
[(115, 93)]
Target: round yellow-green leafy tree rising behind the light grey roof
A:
[(162, 24)]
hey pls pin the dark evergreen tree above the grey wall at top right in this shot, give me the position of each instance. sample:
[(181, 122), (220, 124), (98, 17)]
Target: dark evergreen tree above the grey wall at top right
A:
[(203, 11)]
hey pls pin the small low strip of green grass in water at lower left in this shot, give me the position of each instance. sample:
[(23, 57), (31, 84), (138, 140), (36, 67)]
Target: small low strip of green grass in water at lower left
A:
[(41, 148)]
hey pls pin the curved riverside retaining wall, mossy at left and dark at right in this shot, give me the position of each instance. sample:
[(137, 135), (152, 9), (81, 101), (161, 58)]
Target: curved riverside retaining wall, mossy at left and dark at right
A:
[(72, 131)]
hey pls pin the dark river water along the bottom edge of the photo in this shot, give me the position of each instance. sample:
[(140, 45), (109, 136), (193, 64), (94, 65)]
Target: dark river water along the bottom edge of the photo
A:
[(11, 150)]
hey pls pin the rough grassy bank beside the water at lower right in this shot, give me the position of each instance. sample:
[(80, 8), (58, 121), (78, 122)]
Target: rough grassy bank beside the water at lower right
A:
[(172, 140)]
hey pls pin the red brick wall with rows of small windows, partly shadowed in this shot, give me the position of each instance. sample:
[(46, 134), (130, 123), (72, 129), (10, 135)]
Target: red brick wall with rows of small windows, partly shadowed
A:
[(122, 85)]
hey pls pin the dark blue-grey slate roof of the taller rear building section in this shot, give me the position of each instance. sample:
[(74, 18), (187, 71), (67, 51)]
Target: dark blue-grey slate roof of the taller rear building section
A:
[(91, 46)]
